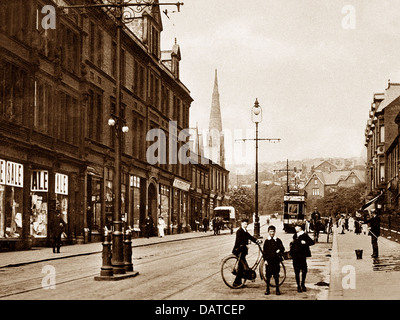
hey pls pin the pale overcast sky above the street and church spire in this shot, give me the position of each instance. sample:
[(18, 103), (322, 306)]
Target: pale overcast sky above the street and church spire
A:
[(312, 67)]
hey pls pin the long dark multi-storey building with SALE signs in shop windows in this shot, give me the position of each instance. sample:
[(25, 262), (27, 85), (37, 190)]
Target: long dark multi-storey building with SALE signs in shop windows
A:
[(57, 92)]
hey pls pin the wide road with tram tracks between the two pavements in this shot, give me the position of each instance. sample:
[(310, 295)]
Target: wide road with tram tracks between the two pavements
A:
[(184, 270)]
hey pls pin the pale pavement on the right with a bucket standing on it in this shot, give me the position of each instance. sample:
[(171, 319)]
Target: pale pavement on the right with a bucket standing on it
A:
[(367, 278)]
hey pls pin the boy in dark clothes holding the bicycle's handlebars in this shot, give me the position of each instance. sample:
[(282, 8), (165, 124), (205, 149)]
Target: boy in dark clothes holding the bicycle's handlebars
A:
[(240, 249)]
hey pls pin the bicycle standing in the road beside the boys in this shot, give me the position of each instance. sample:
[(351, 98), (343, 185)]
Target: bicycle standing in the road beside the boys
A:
[(230, 267)]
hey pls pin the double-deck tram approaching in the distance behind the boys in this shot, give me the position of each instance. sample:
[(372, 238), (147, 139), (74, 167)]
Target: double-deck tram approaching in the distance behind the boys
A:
[(294, 209)]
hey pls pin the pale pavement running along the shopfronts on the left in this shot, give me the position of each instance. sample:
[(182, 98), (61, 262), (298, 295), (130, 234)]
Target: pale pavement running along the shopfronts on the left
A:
[(39, 254)]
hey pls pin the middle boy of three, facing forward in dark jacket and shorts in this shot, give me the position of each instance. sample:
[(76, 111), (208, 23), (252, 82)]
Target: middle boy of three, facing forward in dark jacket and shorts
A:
[(273, 250)]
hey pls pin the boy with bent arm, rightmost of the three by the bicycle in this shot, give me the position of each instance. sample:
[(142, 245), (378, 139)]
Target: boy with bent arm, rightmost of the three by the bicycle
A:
[(300, 250)]
